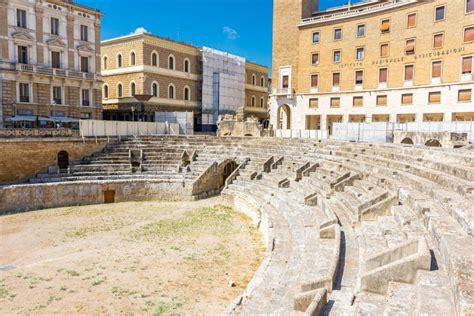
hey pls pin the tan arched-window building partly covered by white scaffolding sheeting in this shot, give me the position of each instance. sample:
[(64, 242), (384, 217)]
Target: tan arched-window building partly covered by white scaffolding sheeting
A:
[(149, 78)]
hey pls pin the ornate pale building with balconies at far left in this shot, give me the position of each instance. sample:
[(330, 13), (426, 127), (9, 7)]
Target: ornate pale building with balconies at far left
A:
[(49, 62)]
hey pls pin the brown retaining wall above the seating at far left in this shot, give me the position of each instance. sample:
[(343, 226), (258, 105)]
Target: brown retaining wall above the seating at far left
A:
[(23, 158)]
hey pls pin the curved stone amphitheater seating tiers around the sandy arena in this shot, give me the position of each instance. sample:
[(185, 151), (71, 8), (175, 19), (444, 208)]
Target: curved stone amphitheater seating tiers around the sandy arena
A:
[(349, 228)]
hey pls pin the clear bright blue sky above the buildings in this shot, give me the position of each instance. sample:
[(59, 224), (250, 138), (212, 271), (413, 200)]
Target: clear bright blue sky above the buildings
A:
[(242, 27)]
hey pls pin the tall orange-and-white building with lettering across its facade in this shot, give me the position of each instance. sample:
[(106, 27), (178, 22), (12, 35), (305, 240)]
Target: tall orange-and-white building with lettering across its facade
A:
[(376, 61)]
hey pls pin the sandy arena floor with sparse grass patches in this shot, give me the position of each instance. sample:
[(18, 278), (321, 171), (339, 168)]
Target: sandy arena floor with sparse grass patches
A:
[(128, 258)]
